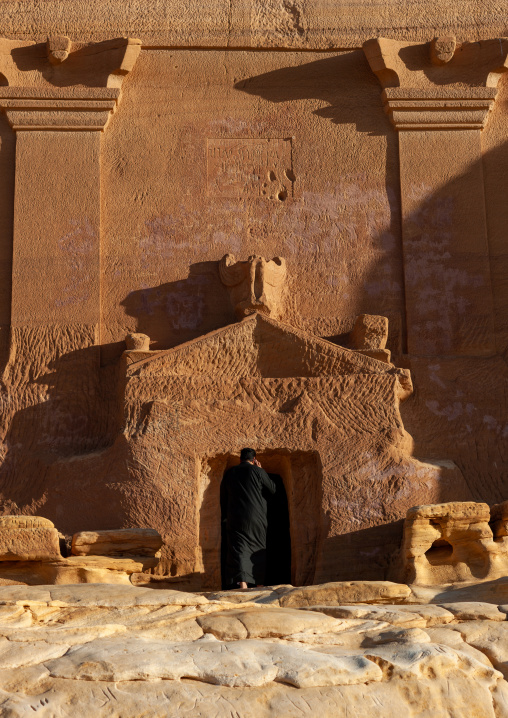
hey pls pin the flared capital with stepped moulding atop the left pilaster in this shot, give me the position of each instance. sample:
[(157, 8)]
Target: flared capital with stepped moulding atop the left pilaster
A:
[(82, 93)]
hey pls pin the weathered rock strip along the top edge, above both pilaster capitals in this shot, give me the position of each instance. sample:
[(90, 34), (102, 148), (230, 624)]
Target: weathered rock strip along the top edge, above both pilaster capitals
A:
[(266, 25)]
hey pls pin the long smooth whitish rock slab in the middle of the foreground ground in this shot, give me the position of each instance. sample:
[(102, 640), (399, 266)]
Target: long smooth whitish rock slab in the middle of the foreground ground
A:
[(241, 663)]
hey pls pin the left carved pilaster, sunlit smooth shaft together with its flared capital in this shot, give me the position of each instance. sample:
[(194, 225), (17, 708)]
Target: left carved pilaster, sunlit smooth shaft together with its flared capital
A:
[(57, 204)]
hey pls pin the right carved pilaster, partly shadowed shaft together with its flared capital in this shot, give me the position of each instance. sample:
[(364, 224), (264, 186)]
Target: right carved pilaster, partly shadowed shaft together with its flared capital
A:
[(439, 96)]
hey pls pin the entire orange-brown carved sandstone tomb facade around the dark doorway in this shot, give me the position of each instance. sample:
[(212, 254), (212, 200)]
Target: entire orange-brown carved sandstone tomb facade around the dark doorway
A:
[(361, 179)]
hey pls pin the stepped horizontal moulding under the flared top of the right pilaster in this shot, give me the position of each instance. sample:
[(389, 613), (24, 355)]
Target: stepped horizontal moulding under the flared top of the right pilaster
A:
[(464, 109)]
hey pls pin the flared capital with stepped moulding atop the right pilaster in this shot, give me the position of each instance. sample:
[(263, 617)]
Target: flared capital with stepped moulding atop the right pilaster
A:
[(440, 84)]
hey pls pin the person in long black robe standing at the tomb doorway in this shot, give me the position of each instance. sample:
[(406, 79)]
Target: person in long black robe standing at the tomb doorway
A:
[(243, 499)]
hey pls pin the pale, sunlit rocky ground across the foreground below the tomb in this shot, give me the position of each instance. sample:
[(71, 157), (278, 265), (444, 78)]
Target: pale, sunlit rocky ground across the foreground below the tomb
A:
[(354, 649)]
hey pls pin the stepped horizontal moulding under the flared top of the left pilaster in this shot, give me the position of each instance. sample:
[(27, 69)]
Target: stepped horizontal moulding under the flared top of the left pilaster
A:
[(65, 109)]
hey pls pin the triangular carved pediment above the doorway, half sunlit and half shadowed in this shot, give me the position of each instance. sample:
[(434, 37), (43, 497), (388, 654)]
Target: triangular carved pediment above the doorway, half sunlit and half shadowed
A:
[(258, 347)]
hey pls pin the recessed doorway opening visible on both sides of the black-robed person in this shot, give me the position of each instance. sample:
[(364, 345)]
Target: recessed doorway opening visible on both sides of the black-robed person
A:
[(294, 518)]
